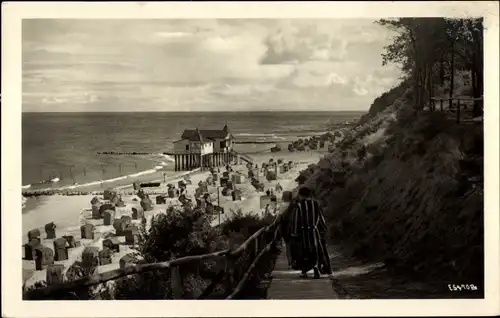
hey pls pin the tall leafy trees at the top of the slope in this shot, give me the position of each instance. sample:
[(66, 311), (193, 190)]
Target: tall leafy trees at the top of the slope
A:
[(431, 51)]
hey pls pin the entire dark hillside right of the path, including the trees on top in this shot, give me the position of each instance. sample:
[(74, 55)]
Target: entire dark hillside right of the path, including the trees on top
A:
[(413, 191)]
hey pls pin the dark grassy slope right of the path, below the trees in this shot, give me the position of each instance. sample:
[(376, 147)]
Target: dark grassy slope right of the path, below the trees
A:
[(415, 201)]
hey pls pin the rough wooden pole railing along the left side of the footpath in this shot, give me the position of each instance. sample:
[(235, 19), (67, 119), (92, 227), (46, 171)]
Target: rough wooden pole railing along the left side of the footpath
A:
[(258, 244)]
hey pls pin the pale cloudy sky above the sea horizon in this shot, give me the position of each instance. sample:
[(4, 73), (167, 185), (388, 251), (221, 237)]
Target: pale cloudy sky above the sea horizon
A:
[(203, 65)]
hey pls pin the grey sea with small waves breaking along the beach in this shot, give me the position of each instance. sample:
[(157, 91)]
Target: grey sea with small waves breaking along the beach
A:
[(62, 149)]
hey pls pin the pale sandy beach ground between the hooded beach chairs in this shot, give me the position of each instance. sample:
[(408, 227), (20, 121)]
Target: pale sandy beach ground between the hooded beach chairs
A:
[(70, 212)]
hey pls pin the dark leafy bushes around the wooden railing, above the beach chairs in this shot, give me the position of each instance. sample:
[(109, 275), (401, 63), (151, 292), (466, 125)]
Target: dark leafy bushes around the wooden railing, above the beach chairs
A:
[(178, 233)]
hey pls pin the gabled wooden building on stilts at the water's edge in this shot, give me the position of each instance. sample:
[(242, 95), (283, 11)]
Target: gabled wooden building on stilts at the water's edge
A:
[(203, 149)]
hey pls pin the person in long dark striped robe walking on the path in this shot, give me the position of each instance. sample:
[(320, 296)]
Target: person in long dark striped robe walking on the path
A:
[(304, 235)]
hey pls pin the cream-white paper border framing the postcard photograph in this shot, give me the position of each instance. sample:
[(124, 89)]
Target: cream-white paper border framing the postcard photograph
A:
[(12, 13)]
